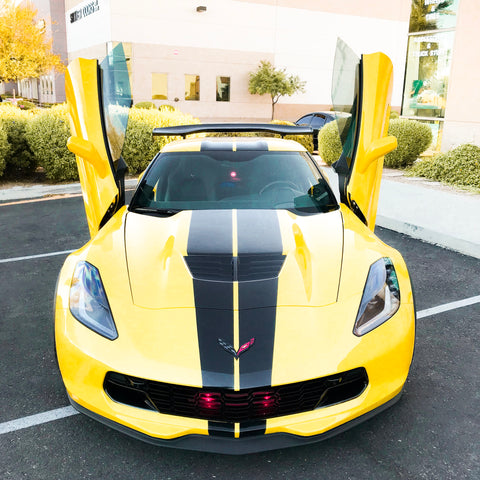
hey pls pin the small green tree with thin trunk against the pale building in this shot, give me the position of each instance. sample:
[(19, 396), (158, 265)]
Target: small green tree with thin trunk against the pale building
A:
[(269, 80)]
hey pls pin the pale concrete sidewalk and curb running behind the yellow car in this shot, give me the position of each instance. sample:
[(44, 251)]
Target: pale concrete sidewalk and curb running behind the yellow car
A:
[(421, 209)]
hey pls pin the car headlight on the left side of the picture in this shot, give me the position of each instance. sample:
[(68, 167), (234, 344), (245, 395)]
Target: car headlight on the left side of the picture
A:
[(88, 301)]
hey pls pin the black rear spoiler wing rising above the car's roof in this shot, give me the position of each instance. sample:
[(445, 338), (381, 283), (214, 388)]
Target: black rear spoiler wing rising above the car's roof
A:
[(184, 130)]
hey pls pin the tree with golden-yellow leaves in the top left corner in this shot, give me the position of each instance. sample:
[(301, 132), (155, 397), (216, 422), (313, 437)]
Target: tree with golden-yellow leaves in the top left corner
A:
[(25, 50)]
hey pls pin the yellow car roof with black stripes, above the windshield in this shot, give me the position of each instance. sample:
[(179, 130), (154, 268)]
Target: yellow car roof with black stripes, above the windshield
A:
[(230, 143)]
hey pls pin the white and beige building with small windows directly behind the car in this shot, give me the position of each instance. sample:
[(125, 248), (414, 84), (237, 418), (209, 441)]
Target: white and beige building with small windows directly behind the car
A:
[(196, 55)]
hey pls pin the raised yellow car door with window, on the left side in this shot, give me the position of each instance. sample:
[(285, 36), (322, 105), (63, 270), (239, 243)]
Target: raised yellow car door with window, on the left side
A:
[(98, 99)]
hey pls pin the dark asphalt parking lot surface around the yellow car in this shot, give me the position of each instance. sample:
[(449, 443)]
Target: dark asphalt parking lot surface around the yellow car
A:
[(431, 433)]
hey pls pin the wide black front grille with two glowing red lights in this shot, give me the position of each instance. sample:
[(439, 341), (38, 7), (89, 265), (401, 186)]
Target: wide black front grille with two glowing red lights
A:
[(227, 405)]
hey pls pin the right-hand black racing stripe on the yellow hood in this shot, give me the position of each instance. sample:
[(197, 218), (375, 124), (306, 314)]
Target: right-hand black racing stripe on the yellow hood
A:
[(259, 234)]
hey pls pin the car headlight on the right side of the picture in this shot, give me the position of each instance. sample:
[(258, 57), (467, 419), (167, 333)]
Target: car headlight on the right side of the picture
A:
[(381, 297)]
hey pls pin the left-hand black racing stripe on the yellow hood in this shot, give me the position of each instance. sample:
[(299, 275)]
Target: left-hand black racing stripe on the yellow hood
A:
[(211, 233)]
